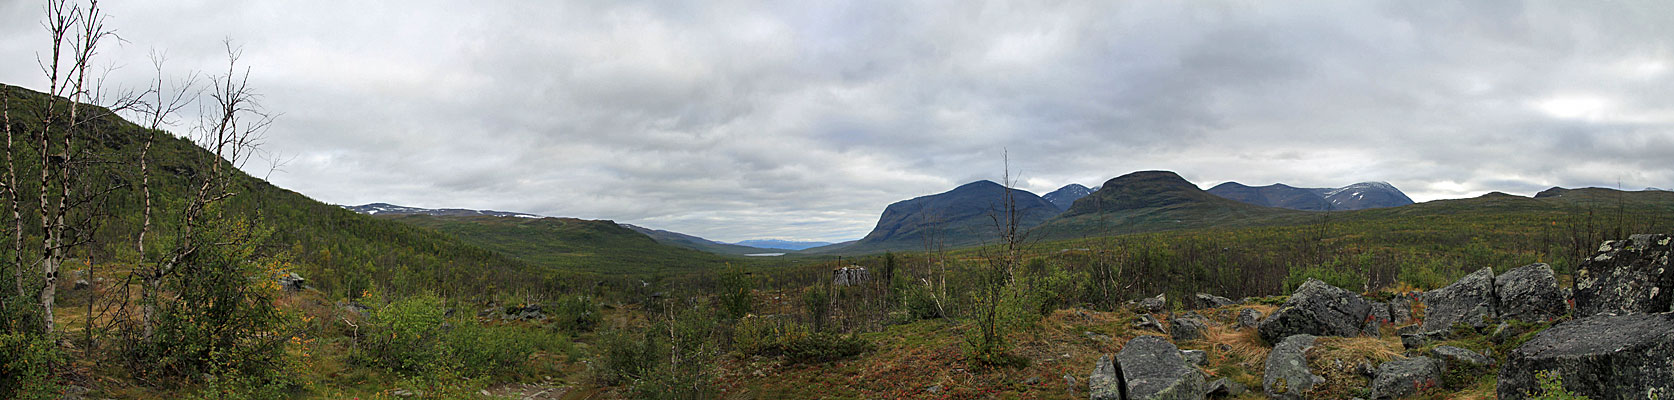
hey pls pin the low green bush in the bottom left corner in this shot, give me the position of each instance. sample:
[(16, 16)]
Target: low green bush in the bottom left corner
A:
[(26, 367)]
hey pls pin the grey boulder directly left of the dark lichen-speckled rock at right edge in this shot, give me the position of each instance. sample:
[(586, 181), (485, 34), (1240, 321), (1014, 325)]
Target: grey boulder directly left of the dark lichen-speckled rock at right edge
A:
[(1529, 294)]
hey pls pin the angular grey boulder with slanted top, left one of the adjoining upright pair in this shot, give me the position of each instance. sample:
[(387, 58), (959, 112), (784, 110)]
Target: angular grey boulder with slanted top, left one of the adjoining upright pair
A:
[(1469, 300)]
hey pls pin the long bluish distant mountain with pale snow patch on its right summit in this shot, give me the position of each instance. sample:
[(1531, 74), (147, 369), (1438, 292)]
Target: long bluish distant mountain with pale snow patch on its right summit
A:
[(1347, 198)]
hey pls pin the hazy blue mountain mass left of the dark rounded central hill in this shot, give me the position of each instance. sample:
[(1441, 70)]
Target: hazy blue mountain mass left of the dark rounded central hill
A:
[(955, 218)]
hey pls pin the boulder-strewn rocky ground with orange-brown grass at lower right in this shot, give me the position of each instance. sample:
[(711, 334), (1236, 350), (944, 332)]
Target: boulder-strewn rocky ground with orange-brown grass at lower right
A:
[(1511, 336)]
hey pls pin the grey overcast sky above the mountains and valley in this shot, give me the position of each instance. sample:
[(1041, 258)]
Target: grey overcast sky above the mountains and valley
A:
[(804, 120)]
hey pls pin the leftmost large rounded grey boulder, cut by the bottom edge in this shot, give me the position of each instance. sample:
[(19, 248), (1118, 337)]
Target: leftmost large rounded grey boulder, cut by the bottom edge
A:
[(1154, 369)]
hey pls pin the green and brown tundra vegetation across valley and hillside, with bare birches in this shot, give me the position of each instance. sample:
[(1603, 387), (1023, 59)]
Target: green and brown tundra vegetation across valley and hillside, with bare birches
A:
[(146, 264)]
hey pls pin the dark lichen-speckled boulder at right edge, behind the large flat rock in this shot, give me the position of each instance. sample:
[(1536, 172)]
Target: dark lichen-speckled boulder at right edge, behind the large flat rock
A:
[(1626, 277)]
